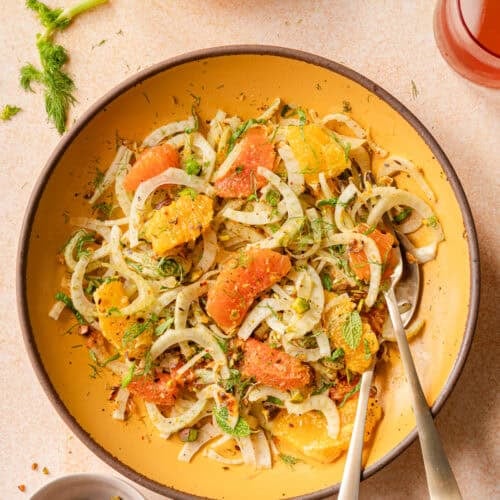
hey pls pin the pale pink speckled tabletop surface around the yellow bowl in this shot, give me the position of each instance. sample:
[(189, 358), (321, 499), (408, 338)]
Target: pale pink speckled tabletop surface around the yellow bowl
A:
[(390, 42)]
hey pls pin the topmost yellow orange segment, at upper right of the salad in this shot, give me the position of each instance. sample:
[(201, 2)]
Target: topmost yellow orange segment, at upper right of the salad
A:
[(316, 151)]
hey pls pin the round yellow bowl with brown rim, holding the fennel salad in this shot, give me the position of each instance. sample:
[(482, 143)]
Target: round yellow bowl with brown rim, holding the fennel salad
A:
[(238, 79)]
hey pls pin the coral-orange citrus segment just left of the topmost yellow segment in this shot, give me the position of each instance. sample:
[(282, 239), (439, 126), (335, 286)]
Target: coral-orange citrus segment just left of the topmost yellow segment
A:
[(242, 179)]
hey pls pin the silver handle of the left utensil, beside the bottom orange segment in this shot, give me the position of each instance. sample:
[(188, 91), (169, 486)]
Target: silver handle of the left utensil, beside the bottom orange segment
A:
[(349, 487)]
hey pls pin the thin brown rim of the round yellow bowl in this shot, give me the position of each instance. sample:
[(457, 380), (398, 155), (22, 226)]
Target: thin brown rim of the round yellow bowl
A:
[(137, 79)]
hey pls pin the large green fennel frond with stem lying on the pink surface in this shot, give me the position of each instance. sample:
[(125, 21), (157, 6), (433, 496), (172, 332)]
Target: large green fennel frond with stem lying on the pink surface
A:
[(57, 84)]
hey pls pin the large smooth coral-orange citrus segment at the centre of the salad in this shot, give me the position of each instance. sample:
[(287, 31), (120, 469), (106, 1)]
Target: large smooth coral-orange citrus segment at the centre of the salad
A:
[(241, 280)]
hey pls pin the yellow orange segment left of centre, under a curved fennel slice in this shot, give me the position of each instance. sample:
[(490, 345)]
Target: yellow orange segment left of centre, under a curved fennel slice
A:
[(181, 221)]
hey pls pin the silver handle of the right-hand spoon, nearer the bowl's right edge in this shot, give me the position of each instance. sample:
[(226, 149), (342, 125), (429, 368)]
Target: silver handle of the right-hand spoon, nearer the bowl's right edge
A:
[(441, 482)]
